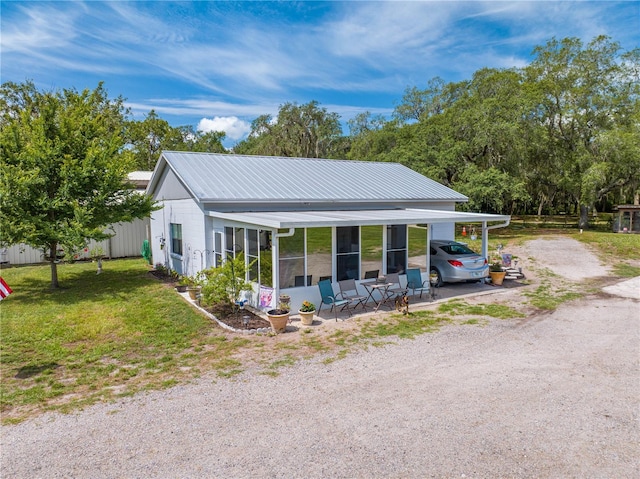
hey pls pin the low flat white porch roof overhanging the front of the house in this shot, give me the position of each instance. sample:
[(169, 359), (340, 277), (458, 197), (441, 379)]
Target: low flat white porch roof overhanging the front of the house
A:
[(317, 219)]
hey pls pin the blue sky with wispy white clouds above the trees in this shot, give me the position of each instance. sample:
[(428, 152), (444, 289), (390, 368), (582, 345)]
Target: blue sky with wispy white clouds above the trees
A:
[(219, 65)]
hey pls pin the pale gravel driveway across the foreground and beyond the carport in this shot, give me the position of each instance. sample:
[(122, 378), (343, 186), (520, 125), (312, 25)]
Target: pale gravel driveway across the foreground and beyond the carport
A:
[(553, 395)]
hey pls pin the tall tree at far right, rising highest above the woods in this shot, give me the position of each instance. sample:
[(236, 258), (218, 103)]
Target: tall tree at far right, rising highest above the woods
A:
[(586, 97)]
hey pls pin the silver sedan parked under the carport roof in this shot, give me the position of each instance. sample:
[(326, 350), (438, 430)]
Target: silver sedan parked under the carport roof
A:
[(453, 262)]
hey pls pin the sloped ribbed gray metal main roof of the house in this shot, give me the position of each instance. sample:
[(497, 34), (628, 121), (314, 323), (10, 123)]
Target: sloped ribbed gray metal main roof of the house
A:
[(213, 177)]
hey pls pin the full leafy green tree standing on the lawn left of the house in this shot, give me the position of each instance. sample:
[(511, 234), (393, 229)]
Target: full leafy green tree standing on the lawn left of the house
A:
[(63, 168)]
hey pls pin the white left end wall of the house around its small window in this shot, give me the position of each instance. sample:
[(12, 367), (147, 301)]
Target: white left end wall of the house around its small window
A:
[(188, 214)]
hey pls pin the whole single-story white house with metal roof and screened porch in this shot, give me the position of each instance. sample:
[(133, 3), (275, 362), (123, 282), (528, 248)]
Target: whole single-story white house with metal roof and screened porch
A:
[(299, 220)]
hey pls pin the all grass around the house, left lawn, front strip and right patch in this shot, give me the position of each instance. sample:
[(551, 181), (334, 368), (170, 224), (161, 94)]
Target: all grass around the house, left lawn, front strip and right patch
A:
[(104, 336)]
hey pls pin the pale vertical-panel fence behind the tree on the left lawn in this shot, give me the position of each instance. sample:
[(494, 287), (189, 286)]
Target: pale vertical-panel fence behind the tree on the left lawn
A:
[(127, 242)]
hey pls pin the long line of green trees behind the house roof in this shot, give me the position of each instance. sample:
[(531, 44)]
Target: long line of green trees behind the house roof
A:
[(561, 134)]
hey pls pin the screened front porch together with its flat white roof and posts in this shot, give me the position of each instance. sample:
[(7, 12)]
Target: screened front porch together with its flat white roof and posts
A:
[(311, 246)]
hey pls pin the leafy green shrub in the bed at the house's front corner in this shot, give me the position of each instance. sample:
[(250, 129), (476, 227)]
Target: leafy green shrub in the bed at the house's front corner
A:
[(225, 283)]
